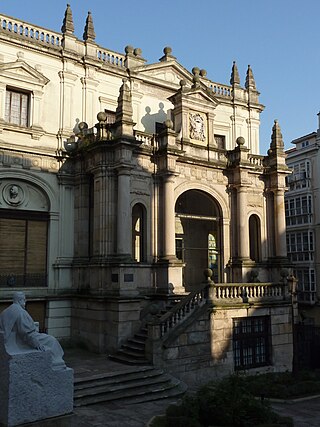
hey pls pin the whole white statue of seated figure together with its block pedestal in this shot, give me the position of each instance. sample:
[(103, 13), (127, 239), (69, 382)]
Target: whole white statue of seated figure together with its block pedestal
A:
[(34, 381)]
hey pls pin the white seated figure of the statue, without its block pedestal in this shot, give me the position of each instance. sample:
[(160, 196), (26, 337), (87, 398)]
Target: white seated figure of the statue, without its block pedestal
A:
[(20, 331)]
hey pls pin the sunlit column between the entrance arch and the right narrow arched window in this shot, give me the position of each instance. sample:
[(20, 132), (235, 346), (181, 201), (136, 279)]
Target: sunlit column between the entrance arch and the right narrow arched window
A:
[(243, 223)]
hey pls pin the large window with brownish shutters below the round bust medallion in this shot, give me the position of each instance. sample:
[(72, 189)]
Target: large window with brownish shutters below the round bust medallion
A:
[(23, 252)]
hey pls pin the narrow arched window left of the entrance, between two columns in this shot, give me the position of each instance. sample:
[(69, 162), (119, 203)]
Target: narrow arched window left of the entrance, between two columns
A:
[(138, 233)]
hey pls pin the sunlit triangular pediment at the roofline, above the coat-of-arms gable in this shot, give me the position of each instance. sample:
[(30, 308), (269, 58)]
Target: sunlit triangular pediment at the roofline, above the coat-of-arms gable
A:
[(168, 71)]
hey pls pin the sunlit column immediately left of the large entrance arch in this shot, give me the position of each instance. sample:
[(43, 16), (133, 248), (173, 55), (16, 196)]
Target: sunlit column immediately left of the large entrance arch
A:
[(169, 230)]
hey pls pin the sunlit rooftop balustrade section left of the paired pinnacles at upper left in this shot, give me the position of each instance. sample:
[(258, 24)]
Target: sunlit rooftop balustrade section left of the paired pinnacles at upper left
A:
[(29, 31)]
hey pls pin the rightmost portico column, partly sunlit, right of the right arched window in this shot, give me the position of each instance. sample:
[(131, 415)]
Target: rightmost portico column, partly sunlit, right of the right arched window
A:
[(280, 223)]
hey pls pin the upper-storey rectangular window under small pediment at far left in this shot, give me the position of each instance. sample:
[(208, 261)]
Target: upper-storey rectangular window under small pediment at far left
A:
[(17, 108)]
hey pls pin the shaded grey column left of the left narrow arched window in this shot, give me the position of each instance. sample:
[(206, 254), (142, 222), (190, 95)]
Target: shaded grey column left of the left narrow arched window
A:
[(124, 213)]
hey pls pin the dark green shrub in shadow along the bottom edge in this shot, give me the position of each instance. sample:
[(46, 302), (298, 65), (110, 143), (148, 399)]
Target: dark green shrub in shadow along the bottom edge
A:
[(229, 403)]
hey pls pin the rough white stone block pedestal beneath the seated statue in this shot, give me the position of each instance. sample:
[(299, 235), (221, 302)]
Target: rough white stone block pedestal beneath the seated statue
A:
[(30, 388)]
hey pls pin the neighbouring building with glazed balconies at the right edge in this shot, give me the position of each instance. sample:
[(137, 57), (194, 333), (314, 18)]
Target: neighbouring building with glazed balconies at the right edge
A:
[(302, 218)]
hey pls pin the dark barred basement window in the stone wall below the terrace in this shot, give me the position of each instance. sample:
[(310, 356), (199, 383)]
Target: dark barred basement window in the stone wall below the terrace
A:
[(251, 342)]
